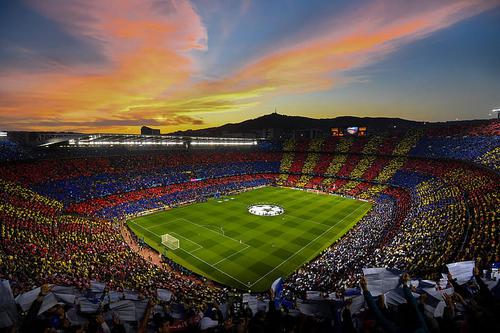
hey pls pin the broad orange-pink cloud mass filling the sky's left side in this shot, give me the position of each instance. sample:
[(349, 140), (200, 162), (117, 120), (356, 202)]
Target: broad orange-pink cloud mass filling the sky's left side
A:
[(146, 44)]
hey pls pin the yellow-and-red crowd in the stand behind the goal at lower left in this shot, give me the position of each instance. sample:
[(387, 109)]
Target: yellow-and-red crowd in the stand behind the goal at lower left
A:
[(39, 245)]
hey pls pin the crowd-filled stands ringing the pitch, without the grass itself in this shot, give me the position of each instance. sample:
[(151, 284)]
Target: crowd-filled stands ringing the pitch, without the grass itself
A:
[(435, 194)]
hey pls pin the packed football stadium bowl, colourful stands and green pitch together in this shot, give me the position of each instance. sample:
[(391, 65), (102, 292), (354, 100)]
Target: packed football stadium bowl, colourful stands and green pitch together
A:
[(224, 223)]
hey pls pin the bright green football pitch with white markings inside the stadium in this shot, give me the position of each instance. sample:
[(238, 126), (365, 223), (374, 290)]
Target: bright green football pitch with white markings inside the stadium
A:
[(222, 241)]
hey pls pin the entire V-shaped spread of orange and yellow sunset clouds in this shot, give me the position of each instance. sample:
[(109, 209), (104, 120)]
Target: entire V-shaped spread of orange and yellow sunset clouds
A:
[(148, 76)]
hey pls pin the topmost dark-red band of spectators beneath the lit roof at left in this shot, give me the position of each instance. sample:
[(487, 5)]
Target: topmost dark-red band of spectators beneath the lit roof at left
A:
[(46, 171)]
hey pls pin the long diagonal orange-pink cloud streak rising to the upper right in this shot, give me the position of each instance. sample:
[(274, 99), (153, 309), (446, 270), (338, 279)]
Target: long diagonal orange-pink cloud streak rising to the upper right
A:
[(355, 40)]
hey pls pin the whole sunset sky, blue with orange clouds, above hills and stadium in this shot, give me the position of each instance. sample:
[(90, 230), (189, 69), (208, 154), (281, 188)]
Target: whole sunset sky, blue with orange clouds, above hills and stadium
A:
[(113, 65)]
